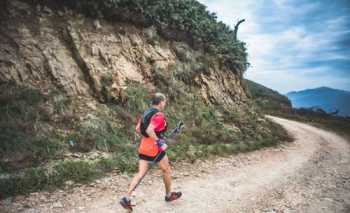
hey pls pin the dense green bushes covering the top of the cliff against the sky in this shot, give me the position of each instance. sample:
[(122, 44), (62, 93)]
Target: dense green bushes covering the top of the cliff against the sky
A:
[(185, 20)]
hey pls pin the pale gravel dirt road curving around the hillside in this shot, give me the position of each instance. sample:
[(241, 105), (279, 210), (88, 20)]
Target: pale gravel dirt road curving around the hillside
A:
[(311, 174)]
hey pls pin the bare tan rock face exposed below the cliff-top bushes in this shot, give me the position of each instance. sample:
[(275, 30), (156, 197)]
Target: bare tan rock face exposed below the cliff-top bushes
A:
[(84, 57)]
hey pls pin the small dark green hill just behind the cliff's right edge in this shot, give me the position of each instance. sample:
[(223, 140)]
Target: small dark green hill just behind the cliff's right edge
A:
[(266, 98)]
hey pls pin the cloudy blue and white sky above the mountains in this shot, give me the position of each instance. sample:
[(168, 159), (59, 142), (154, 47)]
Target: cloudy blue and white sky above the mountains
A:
[(292, 44)]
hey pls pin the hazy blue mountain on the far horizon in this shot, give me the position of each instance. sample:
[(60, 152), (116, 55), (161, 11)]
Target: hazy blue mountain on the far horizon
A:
[(326, 98)]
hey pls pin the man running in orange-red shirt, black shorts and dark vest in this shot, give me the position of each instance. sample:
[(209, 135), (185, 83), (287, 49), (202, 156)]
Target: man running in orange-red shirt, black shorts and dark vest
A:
[(152, 148)]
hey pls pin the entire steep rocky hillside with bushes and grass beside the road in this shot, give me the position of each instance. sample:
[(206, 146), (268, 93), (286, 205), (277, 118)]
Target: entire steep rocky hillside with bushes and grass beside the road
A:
[(76, 75)]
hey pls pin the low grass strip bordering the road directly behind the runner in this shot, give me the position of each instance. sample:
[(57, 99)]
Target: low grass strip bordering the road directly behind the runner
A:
[(79, 171)]
